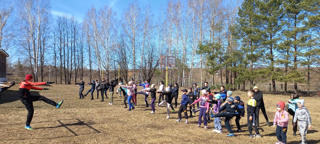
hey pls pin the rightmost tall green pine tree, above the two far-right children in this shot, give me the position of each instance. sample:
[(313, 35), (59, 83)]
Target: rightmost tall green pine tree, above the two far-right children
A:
[(296, 33)]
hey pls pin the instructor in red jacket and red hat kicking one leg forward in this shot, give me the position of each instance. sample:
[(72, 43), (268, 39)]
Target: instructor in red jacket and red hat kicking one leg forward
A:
[(27, 99)]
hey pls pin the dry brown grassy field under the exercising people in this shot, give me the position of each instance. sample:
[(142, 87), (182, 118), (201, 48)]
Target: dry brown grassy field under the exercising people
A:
[(92, 121)]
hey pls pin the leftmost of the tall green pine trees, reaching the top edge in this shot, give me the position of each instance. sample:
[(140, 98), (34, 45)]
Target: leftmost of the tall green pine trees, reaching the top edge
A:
[(250, 37)]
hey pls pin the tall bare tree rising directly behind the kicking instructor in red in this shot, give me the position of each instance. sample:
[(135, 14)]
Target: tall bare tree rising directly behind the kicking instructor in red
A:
[(33, 16)]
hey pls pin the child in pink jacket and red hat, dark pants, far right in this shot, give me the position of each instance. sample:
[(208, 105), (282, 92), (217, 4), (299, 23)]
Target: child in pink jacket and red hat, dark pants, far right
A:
[(281, 119)]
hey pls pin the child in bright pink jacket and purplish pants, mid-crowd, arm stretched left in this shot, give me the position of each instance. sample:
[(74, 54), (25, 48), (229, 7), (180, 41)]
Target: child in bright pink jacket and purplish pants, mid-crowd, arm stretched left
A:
[(204, 108)]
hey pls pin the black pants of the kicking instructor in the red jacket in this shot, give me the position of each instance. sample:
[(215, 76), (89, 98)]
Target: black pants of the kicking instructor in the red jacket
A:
[(28, 103)]
